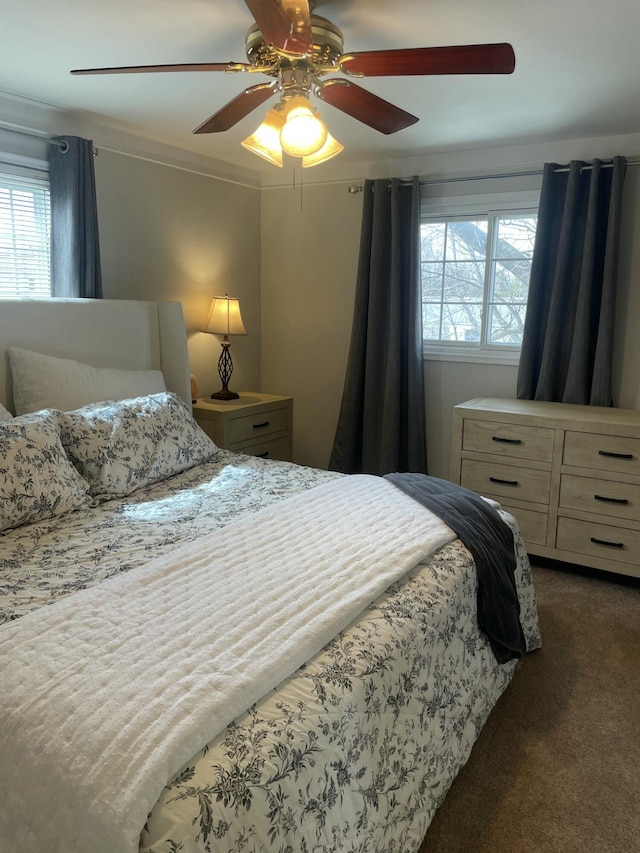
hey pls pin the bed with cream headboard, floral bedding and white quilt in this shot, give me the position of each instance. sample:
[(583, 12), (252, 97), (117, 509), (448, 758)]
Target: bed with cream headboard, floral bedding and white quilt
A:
[(207, 651)]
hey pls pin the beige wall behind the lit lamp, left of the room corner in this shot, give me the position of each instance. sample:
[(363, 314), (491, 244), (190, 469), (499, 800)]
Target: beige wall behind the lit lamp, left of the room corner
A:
[(172, 234)]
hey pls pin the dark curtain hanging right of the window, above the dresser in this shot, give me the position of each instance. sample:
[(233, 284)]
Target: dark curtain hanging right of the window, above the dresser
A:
[(567, 342)]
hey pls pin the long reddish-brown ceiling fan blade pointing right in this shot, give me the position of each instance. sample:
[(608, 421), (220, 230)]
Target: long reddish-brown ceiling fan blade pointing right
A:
[(456, 59)]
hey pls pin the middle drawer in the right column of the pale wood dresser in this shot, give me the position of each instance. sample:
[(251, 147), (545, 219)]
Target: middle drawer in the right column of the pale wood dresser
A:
[(607, 497)]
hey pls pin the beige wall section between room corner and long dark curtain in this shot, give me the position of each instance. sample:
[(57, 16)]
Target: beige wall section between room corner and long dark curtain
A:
[(309, 262)]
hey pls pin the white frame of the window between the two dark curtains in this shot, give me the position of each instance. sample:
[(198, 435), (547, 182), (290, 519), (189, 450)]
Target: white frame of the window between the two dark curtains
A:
[(467, 207)]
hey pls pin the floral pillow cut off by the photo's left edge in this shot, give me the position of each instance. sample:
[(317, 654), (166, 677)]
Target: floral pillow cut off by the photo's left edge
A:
[(37, 481)]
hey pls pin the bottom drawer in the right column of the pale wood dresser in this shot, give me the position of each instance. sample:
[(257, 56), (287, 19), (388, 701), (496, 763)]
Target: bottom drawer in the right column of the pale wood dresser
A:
[(598, 540)]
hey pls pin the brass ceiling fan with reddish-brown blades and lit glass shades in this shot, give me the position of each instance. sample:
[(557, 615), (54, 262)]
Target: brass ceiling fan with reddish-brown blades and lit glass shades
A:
[(298, 48)]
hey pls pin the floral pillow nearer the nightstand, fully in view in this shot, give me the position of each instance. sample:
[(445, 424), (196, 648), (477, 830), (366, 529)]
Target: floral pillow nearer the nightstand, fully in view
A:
[(121, 446)]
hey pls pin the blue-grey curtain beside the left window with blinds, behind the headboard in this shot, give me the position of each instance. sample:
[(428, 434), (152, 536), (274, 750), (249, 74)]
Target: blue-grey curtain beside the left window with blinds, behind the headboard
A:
[(75, 244)]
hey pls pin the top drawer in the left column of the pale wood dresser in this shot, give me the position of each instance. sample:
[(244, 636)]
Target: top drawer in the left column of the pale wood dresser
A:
[(513, 440)]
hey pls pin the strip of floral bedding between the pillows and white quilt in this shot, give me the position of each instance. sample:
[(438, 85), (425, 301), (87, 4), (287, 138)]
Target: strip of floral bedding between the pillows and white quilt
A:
[(42, 562)]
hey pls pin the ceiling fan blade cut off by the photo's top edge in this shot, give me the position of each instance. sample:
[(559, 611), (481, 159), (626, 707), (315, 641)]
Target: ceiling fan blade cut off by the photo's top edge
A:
[(285, 24)]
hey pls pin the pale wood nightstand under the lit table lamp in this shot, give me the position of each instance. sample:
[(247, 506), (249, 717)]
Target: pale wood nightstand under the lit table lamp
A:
[(258, 424)]
